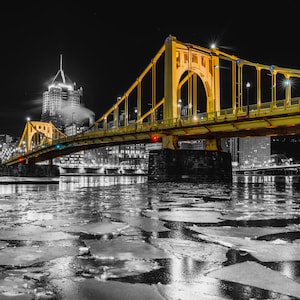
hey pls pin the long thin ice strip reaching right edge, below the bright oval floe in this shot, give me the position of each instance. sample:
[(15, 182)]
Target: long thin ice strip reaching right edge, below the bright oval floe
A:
[(251, 232)]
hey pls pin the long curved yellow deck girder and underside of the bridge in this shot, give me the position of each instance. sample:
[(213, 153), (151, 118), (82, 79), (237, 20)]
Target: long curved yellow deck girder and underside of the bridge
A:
[(186, 132)]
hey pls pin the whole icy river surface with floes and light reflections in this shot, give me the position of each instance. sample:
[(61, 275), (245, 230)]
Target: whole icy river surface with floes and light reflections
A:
[(120, 237)]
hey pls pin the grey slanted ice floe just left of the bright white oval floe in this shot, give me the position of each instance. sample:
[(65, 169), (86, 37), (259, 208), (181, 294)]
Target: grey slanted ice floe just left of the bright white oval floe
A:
[(144, 223)]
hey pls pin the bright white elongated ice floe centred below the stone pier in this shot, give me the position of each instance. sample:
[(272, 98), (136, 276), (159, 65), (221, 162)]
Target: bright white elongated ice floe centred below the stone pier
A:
[(190, 216)]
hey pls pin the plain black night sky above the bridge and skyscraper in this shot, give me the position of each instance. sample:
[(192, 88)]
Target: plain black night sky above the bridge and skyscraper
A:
[(106, 47)]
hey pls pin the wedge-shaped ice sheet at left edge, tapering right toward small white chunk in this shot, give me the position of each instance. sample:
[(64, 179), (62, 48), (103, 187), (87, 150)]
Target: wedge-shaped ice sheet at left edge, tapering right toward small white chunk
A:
[(27, 256)]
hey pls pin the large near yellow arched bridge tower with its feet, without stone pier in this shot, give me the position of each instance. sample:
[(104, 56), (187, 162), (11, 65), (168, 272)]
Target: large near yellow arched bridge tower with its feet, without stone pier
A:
[(180, 58)]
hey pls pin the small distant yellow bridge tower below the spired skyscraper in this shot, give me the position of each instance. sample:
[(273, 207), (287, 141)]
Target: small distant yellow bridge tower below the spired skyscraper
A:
[(38, 133)]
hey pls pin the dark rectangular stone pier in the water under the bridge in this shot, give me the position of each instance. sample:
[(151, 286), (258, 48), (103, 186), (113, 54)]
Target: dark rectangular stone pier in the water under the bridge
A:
[(189, 165)]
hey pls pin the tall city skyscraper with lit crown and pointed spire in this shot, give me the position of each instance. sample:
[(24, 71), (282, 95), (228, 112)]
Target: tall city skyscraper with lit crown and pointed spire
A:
[(61, 101)]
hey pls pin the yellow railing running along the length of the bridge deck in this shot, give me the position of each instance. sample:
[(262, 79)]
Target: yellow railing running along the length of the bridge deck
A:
[(249, 113)]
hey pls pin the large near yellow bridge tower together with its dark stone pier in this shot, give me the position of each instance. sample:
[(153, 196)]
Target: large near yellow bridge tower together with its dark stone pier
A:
[(183, 64)]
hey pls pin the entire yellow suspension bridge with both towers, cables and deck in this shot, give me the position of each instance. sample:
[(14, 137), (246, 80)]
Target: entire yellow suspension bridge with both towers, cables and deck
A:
[(187, 92)]
